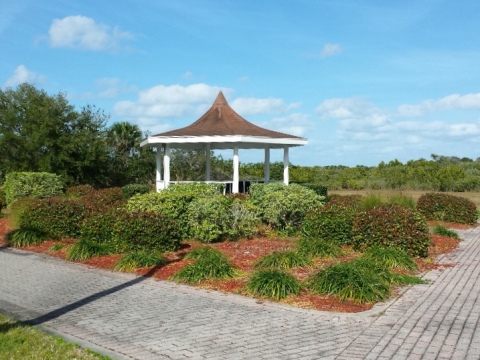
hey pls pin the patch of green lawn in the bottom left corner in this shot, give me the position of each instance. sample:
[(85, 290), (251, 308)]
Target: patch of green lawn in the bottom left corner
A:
[(18, 341)]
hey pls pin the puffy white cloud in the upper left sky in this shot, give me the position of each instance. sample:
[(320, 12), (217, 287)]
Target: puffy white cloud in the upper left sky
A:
[(80, 32)]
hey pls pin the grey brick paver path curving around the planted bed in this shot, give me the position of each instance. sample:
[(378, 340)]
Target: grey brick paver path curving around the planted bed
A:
[(142, 318)]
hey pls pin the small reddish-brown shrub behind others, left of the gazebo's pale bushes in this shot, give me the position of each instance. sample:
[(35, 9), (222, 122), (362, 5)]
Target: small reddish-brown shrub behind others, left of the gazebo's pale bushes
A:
[(103, 200)]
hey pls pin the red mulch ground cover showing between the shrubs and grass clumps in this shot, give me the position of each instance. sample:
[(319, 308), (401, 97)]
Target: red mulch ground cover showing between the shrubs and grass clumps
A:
[(243, 254)]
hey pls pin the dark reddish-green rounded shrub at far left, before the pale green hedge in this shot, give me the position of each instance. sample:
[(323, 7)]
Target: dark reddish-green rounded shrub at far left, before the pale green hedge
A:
[(57, 217)]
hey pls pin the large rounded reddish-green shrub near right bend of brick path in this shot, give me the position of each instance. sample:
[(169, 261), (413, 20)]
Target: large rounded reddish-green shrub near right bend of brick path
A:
[(392, 226)]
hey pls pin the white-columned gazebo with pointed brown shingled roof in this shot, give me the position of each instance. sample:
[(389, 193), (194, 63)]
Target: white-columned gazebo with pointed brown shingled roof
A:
[(221, 128)]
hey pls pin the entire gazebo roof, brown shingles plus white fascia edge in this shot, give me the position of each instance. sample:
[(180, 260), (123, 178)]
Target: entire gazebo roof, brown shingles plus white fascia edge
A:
[(222, 127)]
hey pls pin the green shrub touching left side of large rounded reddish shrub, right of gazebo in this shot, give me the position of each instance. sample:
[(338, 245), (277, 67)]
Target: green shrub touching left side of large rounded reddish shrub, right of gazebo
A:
[(334, 221)]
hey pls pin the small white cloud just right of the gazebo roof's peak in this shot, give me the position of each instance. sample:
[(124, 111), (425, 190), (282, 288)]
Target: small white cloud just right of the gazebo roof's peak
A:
[(255, 106)]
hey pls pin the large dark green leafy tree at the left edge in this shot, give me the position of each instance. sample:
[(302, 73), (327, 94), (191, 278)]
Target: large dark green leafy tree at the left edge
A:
[(39, 132)]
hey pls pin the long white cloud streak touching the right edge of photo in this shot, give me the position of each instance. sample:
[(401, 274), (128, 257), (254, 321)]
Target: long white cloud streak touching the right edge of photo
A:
[(450, 102)]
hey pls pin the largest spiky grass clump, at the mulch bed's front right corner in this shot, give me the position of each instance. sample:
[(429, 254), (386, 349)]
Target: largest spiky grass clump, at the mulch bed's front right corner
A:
[(356, 280)]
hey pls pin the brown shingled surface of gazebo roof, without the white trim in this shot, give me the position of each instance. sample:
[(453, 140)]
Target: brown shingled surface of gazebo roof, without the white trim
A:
[(222, 120)]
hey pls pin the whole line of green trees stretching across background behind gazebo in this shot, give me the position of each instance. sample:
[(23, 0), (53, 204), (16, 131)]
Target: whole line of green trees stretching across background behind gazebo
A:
[(42, 132)]
